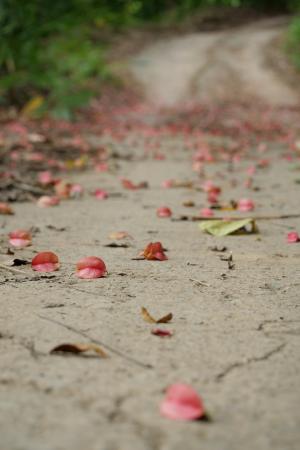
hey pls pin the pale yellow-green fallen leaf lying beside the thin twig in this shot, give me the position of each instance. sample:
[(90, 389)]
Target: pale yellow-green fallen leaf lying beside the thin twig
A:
[(225, 227)]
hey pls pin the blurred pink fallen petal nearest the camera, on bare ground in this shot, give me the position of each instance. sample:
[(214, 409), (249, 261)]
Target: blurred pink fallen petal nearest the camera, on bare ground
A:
[(182, 403)]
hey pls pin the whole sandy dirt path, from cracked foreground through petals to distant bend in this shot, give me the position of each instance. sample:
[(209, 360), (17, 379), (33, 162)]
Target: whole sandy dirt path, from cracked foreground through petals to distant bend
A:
[(236, 326)]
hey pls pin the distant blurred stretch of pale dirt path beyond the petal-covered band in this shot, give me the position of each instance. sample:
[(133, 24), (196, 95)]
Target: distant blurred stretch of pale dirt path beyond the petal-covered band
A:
[(226, 65)]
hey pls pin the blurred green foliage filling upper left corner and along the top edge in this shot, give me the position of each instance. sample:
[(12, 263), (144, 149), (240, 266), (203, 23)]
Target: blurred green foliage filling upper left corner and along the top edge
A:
[(50, 48)]
